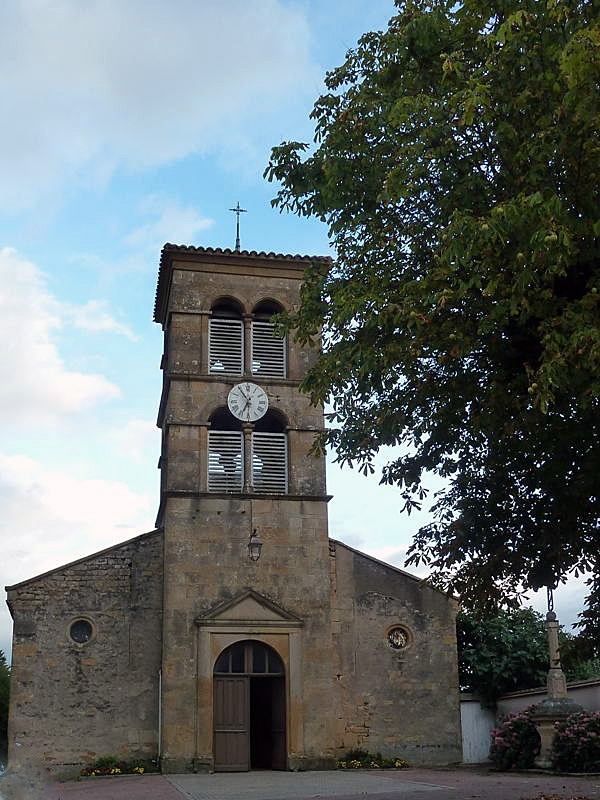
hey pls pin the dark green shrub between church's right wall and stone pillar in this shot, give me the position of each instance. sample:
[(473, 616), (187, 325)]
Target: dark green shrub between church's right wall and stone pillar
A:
[(503, 653)]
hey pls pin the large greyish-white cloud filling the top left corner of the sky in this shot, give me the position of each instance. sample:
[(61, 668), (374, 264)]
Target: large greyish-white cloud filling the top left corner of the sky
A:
[(89, 87)]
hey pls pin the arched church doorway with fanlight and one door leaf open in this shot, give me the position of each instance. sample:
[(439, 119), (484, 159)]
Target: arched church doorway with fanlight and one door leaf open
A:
[(249, 708)]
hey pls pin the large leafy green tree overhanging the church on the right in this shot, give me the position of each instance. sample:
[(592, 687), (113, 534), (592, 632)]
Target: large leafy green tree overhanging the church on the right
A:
[(457, 166)]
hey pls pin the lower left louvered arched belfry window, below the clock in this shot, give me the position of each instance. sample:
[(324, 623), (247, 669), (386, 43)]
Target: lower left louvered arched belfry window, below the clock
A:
[(225, 453)]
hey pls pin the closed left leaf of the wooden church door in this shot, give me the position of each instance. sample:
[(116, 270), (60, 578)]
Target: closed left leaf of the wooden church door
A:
[(232, 723)]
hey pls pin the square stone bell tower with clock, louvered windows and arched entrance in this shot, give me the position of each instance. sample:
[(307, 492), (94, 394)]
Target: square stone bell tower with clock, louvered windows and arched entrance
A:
[(247, 665)]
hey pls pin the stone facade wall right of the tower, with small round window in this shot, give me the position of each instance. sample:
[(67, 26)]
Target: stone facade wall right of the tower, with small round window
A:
[(397, 702)]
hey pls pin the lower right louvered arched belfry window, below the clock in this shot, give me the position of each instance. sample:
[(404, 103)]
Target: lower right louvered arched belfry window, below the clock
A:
[(270, 454)]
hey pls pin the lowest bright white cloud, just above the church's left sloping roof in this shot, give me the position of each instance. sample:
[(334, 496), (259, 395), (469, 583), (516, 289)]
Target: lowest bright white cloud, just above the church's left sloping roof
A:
[(50, 517)]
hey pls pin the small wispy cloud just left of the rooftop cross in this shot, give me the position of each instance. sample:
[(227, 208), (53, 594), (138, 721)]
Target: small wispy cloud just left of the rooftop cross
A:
[(171, 223)]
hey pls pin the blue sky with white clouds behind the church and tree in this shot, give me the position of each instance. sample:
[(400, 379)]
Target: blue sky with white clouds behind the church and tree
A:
[(127, 124)]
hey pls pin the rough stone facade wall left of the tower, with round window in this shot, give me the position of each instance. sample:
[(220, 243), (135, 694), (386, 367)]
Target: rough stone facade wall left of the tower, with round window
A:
[(72, 703)]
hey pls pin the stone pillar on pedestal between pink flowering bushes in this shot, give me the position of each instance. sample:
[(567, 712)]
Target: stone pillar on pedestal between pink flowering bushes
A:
[(557, 706)]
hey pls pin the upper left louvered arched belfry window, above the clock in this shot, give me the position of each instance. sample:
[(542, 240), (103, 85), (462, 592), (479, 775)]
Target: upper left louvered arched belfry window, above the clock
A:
[(226, 339)]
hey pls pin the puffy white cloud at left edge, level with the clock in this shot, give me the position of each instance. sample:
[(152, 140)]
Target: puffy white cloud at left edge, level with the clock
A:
[(36, 385)]
